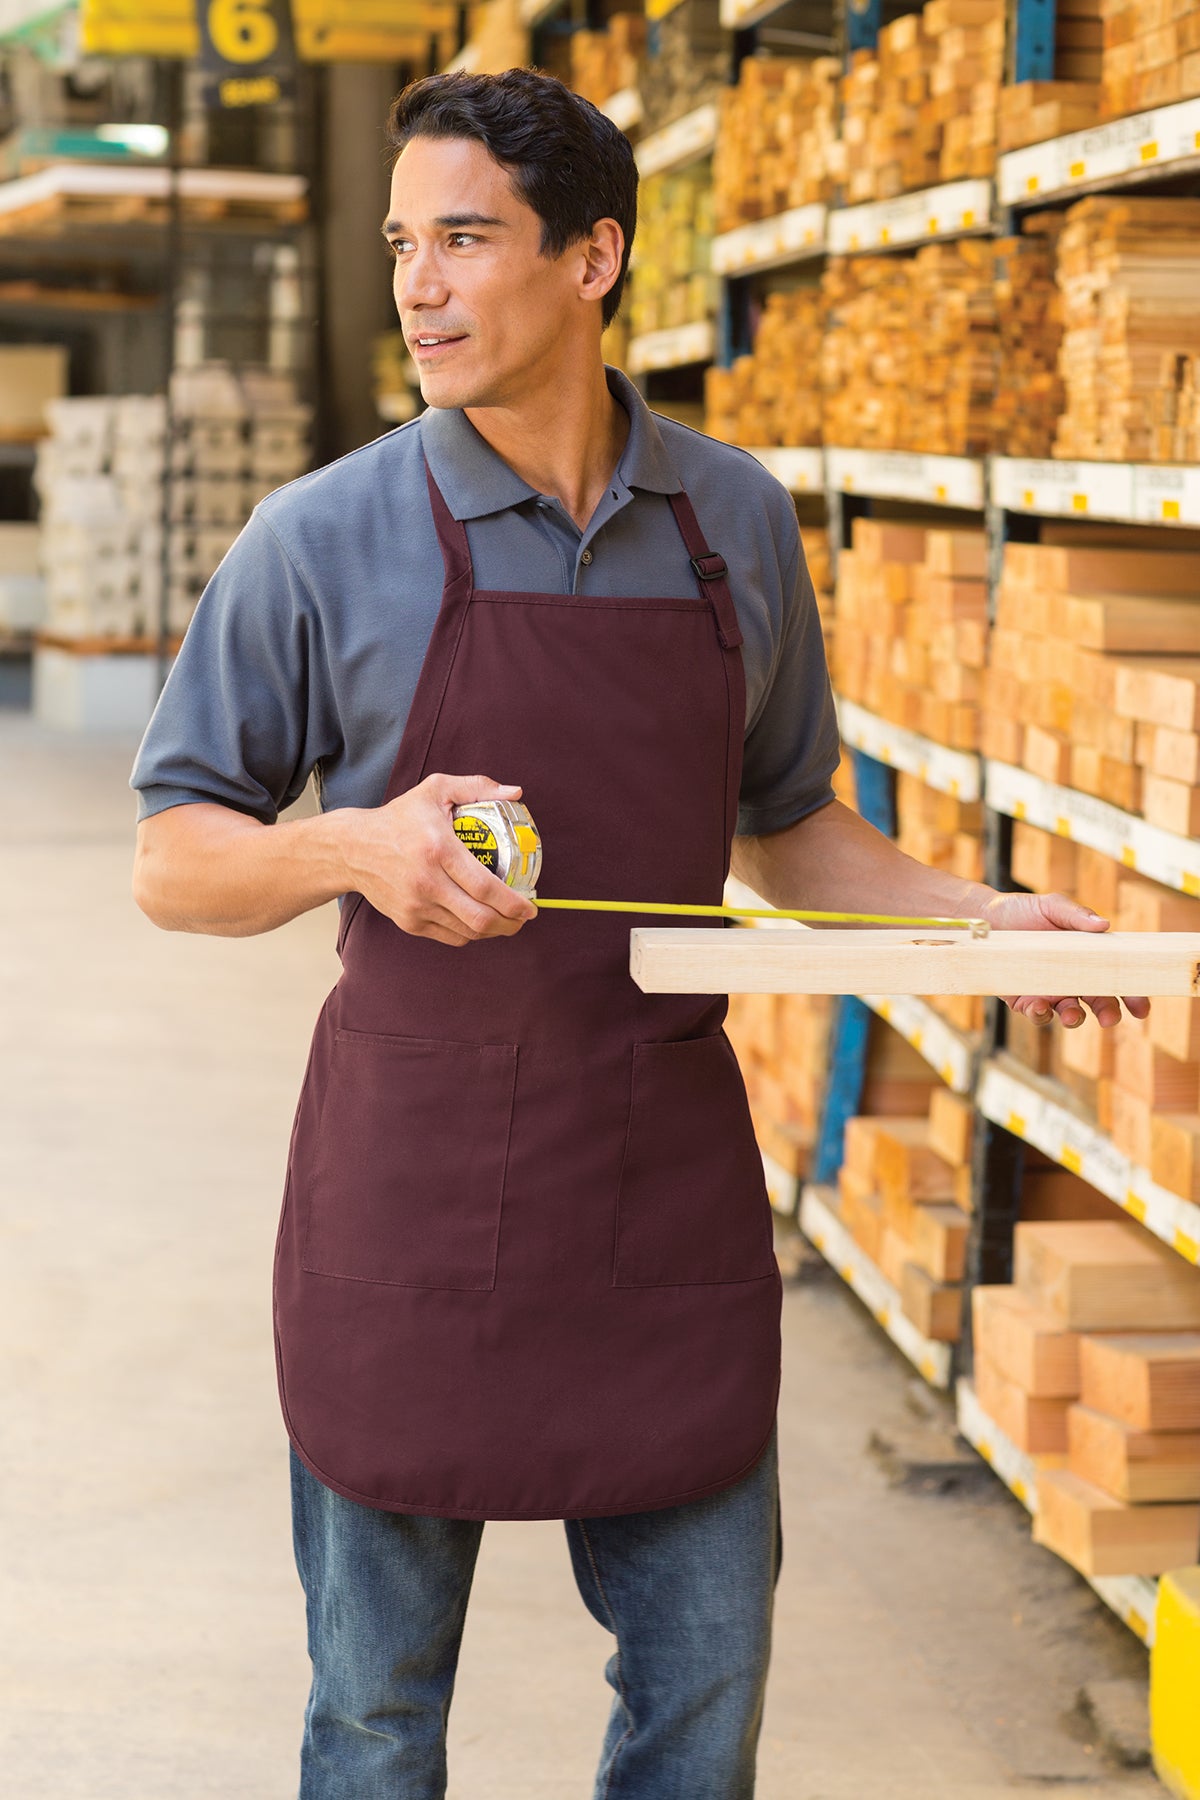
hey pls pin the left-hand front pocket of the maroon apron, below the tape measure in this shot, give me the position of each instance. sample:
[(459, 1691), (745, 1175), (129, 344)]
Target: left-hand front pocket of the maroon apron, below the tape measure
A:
[(409, 1171)]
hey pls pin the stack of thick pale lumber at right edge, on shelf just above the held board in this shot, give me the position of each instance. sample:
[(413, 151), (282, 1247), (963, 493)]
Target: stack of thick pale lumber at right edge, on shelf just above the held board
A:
[(1073, 692)]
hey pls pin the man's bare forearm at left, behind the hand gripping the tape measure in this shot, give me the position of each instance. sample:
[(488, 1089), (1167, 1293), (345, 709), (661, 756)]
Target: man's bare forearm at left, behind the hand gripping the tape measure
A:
[(208, 868)]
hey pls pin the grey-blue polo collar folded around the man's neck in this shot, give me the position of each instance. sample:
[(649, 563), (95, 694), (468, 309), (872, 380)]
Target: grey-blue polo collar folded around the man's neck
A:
[(476, 481)]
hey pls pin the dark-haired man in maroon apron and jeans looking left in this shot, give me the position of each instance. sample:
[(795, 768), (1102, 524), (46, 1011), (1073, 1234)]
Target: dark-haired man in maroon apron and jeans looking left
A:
[(524, 1263)]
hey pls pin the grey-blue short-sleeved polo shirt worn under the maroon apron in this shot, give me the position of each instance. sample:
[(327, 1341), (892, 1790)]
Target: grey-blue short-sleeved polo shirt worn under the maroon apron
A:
[(307, 645)]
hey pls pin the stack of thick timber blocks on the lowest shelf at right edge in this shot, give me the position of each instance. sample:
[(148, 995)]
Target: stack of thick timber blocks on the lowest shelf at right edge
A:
[(1091, 1363)]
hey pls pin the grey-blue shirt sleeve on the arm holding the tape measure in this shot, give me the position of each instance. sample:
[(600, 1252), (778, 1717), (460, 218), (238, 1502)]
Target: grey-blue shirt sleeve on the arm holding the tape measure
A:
[(246, 714)]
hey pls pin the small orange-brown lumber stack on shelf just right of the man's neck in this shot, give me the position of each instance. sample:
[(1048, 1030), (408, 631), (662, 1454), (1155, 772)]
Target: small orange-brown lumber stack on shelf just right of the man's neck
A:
[(773, 397)]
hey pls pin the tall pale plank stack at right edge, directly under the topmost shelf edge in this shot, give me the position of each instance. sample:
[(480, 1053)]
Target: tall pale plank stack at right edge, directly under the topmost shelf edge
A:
[(1131, 273)]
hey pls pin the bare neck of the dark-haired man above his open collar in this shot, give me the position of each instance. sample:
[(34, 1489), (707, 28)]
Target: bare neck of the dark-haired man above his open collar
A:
[(564, 438)]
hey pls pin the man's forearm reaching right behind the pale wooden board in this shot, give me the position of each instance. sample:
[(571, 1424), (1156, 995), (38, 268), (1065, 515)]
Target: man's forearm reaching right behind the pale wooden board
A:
[(834, 861)]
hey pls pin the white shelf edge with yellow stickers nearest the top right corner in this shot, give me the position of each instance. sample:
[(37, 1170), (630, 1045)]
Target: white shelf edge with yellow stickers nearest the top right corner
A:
[(1102, 154)]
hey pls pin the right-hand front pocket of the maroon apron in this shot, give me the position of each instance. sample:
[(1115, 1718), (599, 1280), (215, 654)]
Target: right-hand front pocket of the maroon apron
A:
[(692, 1205)]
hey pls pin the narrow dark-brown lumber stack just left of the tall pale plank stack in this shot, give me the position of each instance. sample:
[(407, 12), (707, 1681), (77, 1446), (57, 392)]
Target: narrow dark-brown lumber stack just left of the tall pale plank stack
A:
[(1030, 318)]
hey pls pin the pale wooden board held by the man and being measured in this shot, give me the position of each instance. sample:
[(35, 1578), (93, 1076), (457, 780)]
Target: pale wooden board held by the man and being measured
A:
[(915, 962)]
